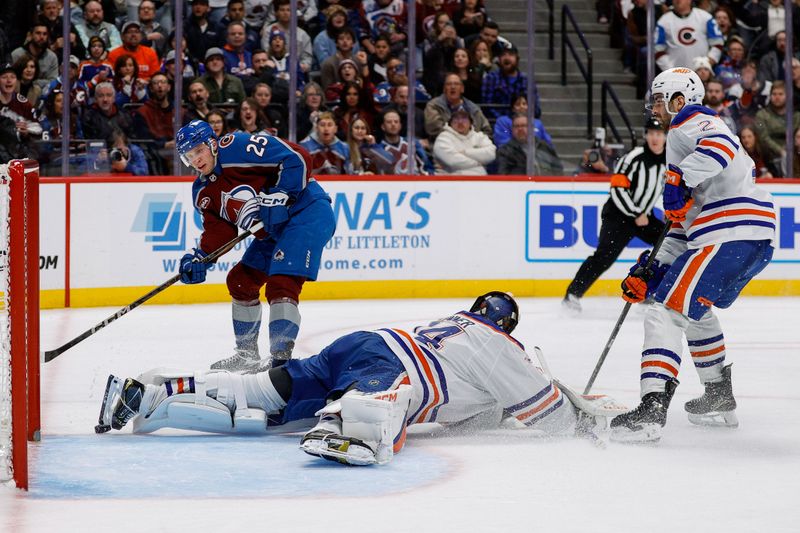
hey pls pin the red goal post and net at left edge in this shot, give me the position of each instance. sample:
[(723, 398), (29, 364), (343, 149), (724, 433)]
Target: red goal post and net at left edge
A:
[(19, 318)]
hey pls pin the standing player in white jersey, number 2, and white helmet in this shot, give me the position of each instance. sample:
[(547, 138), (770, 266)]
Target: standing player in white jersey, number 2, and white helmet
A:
[(722, 233)]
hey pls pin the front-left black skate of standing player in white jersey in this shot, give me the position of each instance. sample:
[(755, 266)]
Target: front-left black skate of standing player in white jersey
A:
[(644, 423)]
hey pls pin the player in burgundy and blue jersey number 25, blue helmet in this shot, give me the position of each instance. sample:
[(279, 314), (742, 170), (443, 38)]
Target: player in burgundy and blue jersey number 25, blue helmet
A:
[(245, 178)]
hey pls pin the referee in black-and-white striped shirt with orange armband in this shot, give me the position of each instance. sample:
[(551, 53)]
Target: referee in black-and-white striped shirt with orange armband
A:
[(635, 187)]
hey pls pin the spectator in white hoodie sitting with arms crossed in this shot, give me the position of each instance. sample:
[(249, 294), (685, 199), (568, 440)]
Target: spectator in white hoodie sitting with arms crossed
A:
[(461, 150)]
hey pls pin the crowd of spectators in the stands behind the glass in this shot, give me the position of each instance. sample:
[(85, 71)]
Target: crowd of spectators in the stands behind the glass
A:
[(352, 80)]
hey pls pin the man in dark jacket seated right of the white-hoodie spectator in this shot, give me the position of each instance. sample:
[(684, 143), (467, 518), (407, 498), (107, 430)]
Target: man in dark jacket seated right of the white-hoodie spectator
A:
[(512, 157)]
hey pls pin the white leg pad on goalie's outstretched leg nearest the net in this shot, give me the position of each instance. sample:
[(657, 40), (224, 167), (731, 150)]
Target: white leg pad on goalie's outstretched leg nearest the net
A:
[(200, 412)]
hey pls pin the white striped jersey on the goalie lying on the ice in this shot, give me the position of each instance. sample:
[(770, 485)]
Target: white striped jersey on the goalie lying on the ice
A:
[(462, 366)]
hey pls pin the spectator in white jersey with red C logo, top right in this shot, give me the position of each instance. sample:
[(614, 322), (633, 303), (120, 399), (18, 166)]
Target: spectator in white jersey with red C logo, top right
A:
[(686, 33)]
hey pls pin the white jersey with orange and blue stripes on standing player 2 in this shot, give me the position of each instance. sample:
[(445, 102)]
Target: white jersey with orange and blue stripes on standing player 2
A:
[(728, 206)]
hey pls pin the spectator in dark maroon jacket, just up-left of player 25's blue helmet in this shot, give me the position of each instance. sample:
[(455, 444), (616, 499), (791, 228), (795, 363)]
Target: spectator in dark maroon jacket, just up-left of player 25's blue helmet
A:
[(154, 119)]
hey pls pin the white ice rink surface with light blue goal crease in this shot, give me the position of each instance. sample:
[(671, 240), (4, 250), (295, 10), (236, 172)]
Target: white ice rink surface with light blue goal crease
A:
[(695, 480)]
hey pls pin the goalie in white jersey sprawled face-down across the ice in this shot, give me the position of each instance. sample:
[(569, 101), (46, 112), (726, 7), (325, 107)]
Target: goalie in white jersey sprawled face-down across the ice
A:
[(366, 387)]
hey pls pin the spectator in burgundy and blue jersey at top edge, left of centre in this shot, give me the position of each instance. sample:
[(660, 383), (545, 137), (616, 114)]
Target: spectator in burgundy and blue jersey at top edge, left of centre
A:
[(382, 17)]
